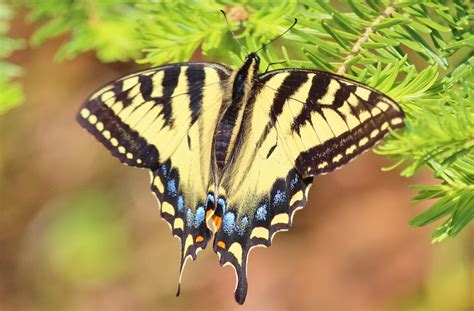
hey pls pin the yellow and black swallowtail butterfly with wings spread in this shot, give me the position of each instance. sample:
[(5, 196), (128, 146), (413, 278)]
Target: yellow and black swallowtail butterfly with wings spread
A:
[(232, 154)]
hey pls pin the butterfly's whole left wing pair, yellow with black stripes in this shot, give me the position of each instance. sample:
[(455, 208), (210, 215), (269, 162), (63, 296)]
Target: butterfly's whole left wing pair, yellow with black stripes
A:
[(150, 119)]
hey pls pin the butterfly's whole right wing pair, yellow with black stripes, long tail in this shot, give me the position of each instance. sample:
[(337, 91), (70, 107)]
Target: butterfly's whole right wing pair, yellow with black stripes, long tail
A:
[(299, 124)]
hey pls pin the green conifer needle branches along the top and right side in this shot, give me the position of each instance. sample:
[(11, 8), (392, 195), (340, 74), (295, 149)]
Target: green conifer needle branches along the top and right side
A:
[(419, 52)]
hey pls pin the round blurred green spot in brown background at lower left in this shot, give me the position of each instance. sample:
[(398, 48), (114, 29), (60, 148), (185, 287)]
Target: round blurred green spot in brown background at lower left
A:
[(85, 240)]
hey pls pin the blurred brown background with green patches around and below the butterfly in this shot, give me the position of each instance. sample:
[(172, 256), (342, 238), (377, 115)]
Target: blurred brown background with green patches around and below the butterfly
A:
[(80, 231)]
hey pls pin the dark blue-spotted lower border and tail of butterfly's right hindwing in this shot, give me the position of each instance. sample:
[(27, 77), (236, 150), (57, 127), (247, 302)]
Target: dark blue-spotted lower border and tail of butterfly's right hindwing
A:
[(254, 221)]
